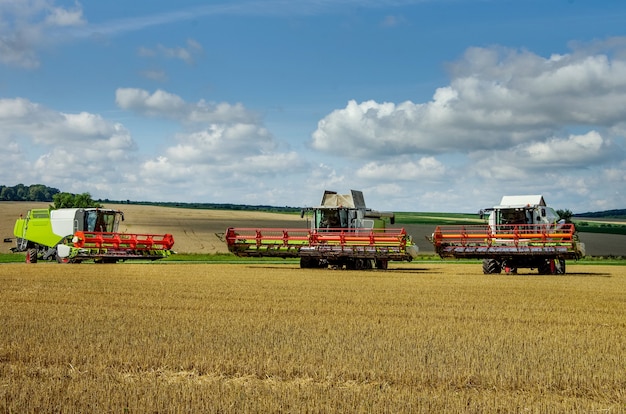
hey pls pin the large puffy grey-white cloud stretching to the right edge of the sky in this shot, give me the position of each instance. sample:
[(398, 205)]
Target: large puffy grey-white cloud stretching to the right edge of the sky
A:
[(496, 99)]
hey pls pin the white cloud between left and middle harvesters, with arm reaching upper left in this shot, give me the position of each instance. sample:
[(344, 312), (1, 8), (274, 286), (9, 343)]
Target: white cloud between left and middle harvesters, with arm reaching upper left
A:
[(222, 148)]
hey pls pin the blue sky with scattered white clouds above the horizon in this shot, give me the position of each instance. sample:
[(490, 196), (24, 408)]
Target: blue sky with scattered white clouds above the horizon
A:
[(424, 105)]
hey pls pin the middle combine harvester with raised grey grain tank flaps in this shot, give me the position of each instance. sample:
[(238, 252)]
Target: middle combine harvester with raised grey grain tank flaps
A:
[(342, 233)]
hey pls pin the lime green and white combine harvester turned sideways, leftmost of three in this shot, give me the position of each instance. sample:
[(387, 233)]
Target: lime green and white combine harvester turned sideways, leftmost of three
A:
[(73, 235)]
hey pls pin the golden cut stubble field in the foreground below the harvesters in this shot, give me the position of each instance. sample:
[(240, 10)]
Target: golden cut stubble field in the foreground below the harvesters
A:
[(275, 338)]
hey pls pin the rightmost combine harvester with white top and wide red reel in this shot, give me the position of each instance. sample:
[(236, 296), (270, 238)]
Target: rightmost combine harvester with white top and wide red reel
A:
[(522, 232)]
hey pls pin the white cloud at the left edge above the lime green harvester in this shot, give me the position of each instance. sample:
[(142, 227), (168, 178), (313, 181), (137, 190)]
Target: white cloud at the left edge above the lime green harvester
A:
[(75, 151)]
